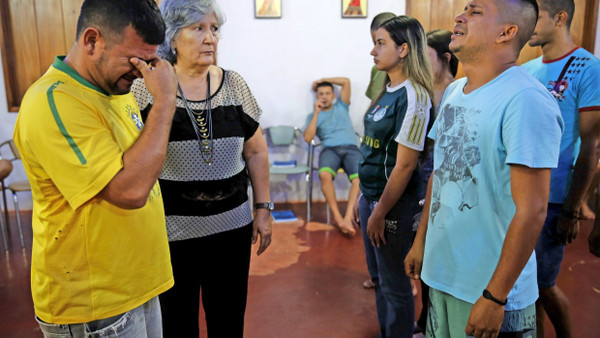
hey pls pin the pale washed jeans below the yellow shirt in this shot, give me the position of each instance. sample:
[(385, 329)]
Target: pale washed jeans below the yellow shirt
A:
[(143, 321)]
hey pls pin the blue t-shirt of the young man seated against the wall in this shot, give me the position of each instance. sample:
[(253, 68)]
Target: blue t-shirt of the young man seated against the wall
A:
[(334, 126)]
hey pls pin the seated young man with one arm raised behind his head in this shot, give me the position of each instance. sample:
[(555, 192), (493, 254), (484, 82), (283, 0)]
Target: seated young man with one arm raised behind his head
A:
[(331, 123)]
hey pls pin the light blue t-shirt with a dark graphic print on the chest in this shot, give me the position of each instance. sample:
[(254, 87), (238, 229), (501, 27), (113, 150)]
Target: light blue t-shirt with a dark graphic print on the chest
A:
[(510, 120)]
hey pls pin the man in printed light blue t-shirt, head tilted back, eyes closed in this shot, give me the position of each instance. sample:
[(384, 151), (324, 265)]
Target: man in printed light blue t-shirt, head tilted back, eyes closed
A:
[(497, 136)]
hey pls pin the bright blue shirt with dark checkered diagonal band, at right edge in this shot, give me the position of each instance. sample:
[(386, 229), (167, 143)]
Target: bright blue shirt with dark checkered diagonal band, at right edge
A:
[(574, 81)]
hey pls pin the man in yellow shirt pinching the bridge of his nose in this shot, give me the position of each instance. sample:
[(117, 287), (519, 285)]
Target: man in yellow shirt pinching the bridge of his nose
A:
[(100, 254)]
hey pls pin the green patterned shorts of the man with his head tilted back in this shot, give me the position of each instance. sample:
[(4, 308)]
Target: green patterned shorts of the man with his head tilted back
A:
[(448, 317)]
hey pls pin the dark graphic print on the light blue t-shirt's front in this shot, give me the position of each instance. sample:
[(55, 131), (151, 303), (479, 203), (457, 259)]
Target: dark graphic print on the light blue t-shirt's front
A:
[(460, 154)]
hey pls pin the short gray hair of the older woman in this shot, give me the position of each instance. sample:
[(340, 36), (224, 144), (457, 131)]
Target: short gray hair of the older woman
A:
[(178, 14)]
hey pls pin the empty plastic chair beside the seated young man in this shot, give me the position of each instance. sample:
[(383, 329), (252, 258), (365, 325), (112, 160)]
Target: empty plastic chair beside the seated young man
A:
[(288, 139)]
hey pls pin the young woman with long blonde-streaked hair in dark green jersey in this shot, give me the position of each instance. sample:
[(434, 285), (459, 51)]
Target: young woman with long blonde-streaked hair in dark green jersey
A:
[(394, 139)]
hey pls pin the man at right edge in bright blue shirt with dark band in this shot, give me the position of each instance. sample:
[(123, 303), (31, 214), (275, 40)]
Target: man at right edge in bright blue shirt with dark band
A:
[(572, 75)]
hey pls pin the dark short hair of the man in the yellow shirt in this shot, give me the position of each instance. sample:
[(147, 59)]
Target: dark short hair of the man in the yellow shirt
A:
[(111, 17)]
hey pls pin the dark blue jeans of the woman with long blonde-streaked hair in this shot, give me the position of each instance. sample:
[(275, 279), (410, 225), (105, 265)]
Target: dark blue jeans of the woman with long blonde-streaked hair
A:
[(394, 298)]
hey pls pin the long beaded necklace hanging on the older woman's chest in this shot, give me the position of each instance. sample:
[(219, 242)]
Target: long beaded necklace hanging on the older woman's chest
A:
[(203, 132)]
